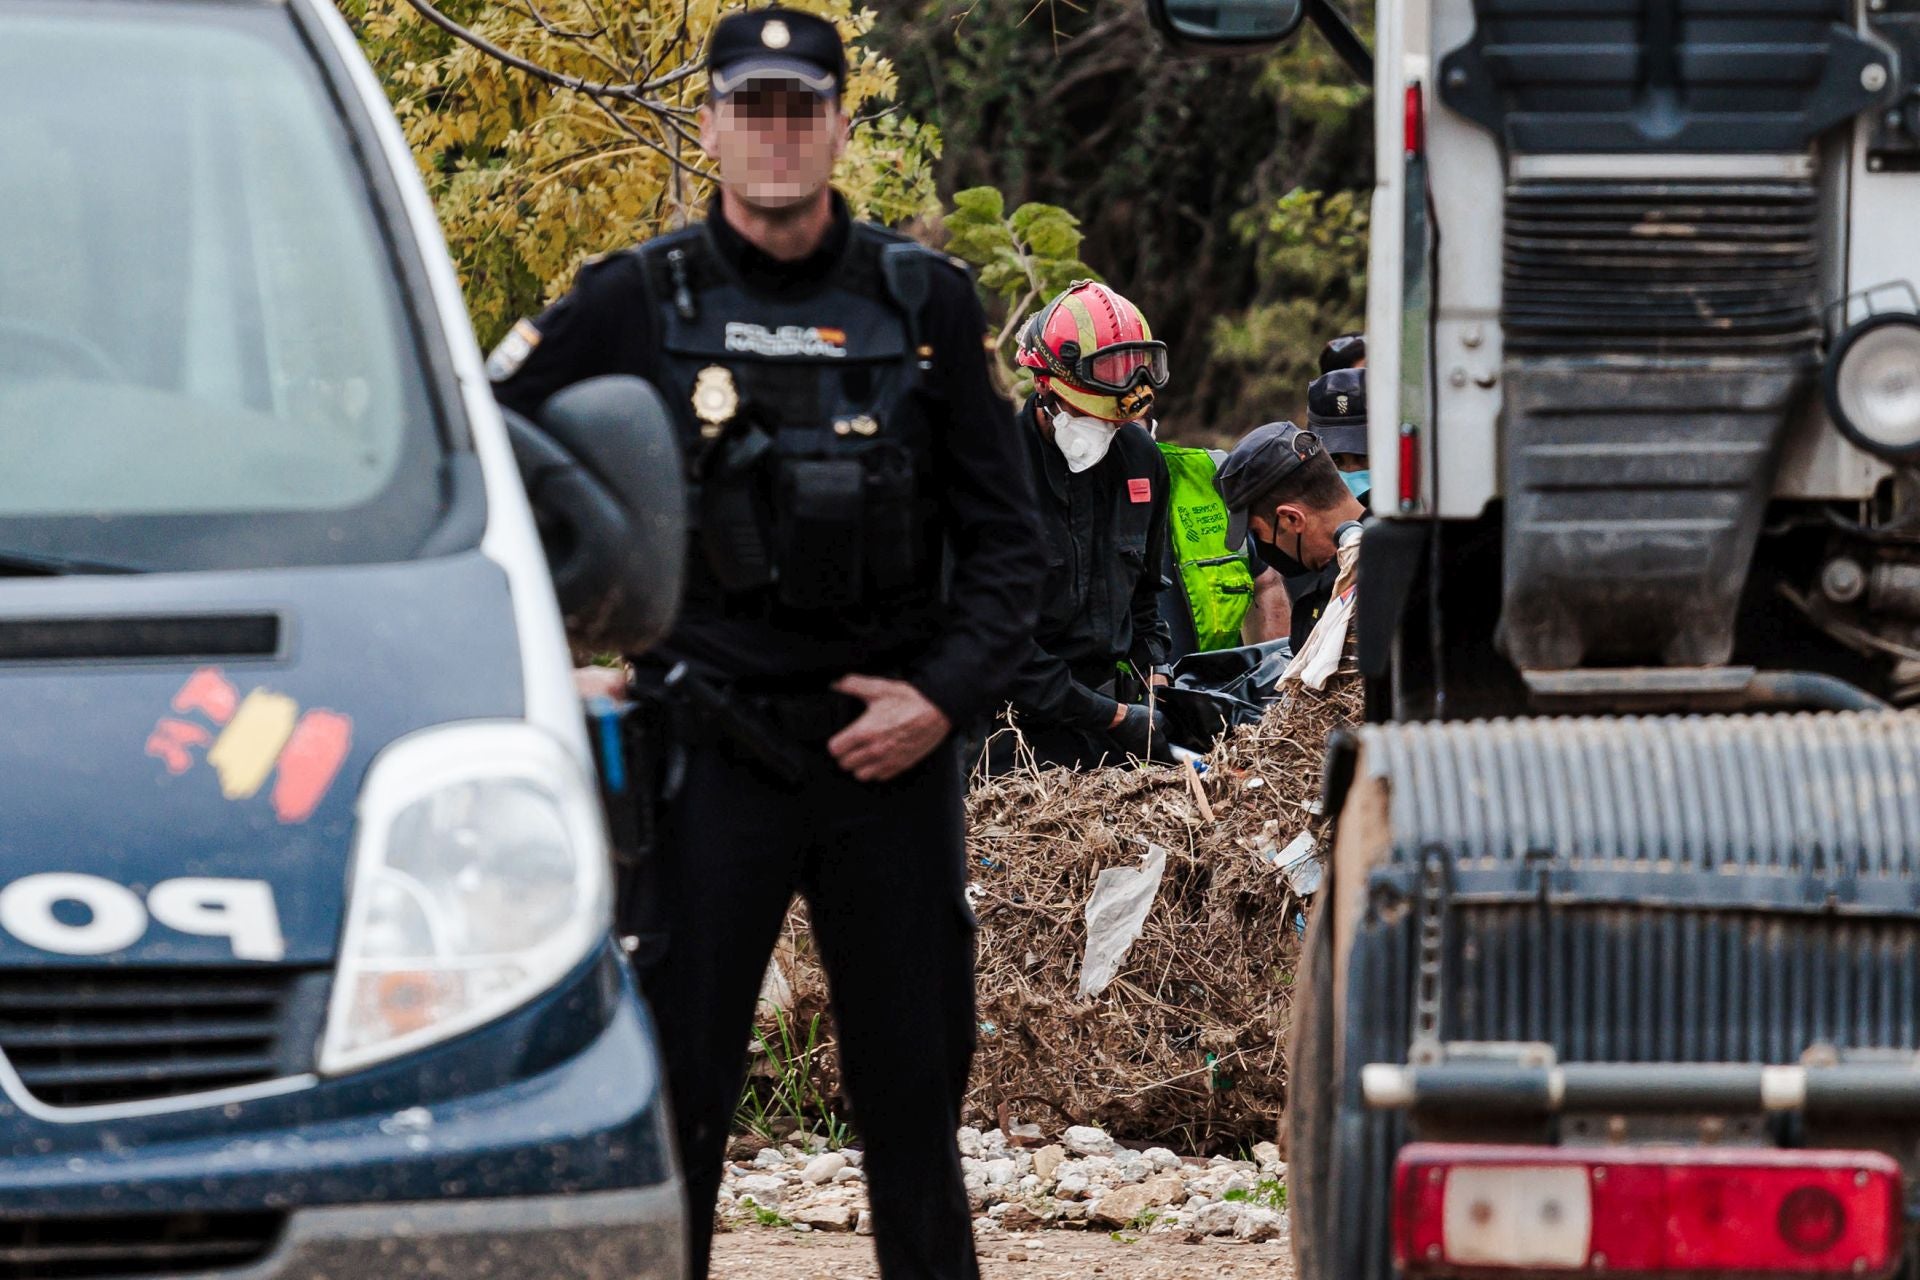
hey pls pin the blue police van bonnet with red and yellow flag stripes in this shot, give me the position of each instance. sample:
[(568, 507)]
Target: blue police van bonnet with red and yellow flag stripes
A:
[(108, 769)]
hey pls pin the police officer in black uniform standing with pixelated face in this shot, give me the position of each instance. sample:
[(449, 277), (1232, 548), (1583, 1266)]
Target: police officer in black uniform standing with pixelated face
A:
[(848, 456)]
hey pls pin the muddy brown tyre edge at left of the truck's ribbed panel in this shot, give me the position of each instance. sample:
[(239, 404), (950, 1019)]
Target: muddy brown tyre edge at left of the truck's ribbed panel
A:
[(1310, 1099)]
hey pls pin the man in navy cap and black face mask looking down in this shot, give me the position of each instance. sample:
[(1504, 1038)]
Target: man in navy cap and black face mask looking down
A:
[(1297, 506)]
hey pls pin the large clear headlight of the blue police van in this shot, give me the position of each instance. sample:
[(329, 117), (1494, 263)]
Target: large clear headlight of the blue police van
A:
[(481, 880)]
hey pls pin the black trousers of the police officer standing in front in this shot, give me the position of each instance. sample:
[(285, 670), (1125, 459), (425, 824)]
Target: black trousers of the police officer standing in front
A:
[(884, 876)]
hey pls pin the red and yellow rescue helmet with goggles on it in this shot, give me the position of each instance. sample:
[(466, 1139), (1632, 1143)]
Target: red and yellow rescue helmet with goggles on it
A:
[(1093, 352)]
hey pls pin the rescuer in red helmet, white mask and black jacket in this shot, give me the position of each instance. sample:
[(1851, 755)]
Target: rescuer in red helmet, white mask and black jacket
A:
[(1103, 490)]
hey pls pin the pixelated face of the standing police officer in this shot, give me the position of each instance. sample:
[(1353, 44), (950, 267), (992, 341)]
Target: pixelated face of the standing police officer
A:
[(775, 143)]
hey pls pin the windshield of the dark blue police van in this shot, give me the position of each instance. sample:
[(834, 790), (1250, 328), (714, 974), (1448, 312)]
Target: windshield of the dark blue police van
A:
[(206, 360)]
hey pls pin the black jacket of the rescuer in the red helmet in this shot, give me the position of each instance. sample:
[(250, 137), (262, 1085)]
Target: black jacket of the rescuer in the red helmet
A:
[(1107, 534)]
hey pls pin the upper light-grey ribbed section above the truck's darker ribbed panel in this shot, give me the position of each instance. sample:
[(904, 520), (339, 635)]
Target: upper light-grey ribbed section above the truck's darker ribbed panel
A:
[(1835, 797)]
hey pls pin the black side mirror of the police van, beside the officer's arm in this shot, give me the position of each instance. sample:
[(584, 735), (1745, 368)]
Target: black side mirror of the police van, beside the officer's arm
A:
[(604, 475)]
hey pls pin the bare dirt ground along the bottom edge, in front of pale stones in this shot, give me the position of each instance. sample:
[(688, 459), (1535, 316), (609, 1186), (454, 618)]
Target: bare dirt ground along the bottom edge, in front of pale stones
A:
[(777, 1254)]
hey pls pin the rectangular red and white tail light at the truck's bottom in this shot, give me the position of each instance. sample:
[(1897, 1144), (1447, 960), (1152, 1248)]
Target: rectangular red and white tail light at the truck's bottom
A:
[(1470, 1210)]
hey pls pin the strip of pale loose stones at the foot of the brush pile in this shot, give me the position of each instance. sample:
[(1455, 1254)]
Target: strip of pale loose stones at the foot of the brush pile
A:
[(1082, 1183)]
